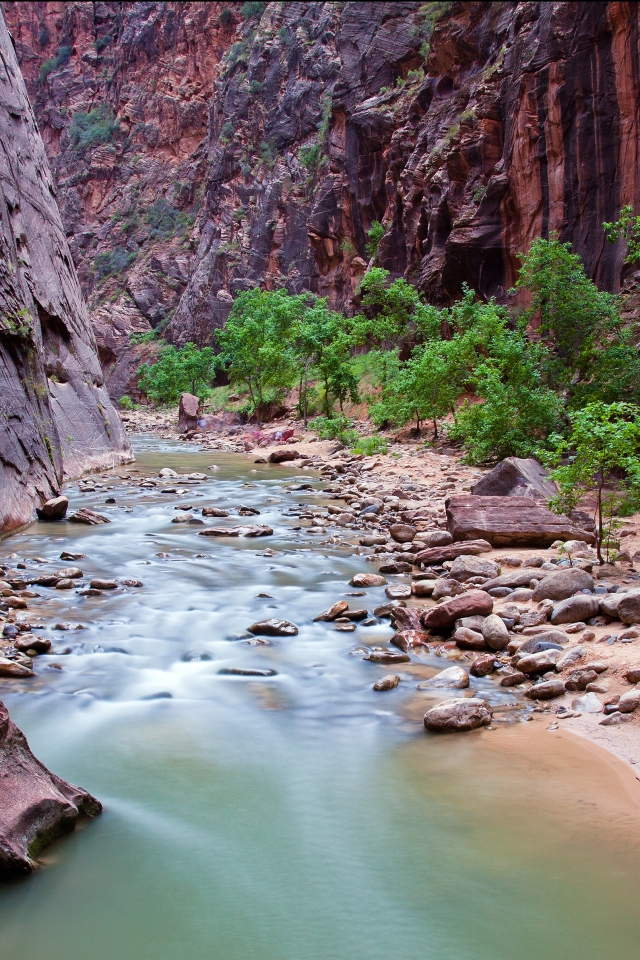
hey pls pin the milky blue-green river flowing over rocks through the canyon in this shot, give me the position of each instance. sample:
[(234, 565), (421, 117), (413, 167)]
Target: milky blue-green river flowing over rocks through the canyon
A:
[(299, 816)]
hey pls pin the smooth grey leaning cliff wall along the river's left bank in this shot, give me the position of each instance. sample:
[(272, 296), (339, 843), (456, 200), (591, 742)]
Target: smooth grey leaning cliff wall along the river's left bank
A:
[(57, 419)]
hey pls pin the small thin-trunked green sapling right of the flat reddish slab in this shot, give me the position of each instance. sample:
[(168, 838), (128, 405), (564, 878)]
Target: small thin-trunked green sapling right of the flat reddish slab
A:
[(602, 454)]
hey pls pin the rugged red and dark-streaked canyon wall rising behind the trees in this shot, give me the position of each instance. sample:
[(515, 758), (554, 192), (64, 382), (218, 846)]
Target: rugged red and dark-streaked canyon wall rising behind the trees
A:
[(466, 129)]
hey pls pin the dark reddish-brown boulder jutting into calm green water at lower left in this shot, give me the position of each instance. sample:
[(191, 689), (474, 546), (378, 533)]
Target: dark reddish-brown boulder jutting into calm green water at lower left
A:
[(37, 807)]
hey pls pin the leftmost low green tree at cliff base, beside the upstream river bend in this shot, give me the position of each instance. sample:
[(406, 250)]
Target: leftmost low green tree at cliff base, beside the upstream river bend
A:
[(177, 371)]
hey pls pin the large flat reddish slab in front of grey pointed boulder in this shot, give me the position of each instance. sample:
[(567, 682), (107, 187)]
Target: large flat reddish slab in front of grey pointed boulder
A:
[(509, 521)]
